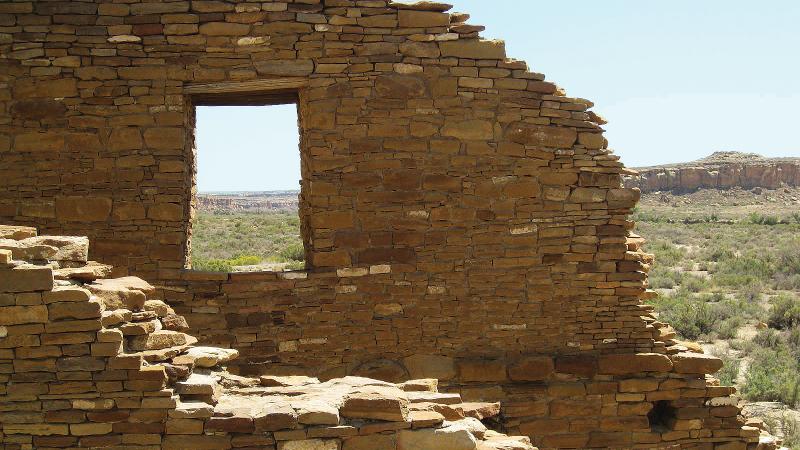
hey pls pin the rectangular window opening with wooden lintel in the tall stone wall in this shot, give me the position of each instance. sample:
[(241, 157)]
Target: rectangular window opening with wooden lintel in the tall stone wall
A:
[(247, 157)]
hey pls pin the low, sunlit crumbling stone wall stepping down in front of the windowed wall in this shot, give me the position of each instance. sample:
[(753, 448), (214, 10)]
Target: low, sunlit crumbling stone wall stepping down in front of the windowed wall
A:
[(89, 362)]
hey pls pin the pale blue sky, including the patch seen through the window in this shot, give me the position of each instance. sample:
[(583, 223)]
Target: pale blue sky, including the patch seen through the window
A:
[(676, 80)]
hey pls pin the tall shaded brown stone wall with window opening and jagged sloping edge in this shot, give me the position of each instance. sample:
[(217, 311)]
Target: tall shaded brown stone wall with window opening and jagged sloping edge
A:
[(461, 215)]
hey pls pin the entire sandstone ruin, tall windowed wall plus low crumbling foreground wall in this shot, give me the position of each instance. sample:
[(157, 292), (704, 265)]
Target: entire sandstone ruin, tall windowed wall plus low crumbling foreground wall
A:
[(463, 220)]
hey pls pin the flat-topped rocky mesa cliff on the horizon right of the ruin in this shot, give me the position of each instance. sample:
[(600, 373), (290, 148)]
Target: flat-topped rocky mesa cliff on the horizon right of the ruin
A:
[(721, 170)]
